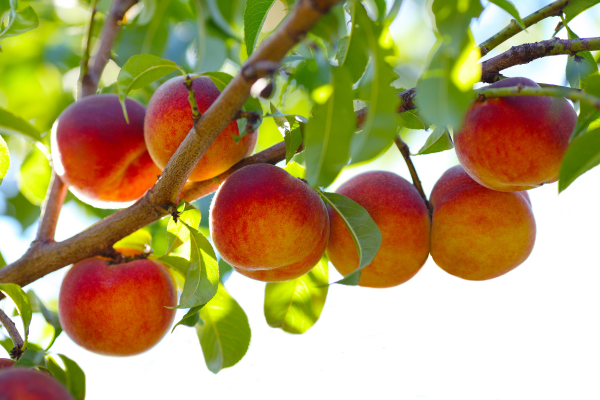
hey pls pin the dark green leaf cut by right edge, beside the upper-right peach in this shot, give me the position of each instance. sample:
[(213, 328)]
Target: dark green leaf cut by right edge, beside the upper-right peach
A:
[(583, 154)]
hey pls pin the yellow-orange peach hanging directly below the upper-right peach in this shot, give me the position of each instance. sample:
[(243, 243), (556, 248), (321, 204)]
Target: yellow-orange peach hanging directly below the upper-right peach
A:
[(479, 233)]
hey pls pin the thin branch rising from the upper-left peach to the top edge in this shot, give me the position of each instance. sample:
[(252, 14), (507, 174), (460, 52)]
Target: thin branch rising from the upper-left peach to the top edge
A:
[(89, 82)]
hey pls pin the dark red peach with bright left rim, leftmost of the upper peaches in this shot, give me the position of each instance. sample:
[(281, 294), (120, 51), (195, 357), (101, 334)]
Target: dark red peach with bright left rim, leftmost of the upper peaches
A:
[(102, 158)]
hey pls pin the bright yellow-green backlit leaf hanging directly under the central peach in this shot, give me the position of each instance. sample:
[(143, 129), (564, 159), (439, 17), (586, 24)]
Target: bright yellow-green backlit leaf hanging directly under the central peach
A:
[(296, 305)]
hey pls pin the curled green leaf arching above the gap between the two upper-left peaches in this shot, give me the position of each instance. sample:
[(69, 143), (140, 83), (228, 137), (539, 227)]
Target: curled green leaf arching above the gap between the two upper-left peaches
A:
[(139, 71)]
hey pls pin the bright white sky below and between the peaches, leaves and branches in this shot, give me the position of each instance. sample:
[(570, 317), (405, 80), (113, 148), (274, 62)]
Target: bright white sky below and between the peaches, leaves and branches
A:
[(530, 334)]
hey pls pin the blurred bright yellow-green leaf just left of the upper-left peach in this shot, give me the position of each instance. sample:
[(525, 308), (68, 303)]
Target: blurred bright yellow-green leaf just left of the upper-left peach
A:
[(35, 176)]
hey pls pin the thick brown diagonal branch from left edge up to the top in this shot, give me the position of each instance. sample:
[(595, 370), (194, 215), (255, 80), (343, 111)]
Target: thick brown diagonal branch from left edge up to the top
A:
[(45, 258)]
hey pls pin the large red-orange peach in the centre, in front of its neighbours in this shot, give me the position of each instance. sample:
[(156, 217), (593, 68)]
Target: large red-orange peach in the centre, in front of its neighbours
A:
[(267, 224)]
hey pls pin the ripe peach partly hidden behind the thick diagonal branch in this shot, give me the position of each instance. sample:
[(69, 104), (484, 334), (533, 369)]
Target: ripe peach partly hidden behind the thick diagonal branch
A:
[(169, 120)]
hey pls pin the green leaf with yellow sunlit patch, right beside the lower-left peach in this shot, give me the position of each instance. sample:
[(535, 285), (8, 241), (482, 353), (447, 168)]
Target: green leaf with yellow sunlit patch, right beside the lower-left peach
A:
[(202, 277)]
